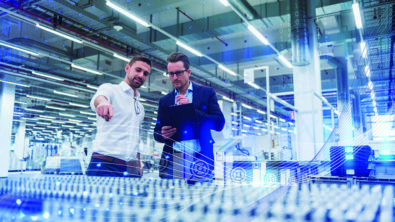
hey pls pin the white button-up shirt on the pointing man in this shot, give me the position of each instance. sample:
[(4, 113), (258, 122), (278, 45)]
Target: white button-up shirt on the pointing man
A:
[(120, 136)]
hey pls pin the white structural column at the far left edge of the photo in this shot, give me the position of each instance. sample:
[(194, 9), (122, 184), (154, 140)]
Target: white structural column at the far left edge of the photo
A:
[(7, 98)]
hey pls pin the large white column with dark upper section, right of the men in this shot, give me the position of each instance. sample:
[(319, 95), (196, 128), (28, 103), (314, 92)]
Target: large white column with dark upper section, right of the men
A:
[(307, 80)]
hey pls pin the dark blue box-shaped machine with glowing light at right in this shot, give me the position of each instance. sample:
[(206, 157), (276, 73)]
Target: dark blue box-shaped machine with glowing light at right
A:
[(350, 161)]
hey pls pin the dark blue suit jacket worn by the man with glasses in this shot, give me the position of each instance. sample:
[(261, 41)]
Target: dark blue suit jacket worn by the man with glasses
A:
[(209, 117)]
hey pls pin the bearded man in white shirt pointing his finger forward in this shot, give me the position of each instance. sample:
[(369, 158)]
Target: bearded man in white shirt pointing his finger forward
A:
[(119, 117)]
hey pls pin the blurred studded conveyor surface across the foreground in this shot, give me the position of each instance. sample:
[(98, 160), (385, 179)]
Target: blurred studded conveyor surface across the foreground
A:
[(28, 197)]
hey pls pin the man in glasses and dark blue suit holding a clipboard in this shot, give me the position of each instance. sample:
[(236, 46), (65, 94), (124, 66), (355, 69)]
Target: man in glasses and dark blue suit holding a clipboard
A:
[(196, 154)]
